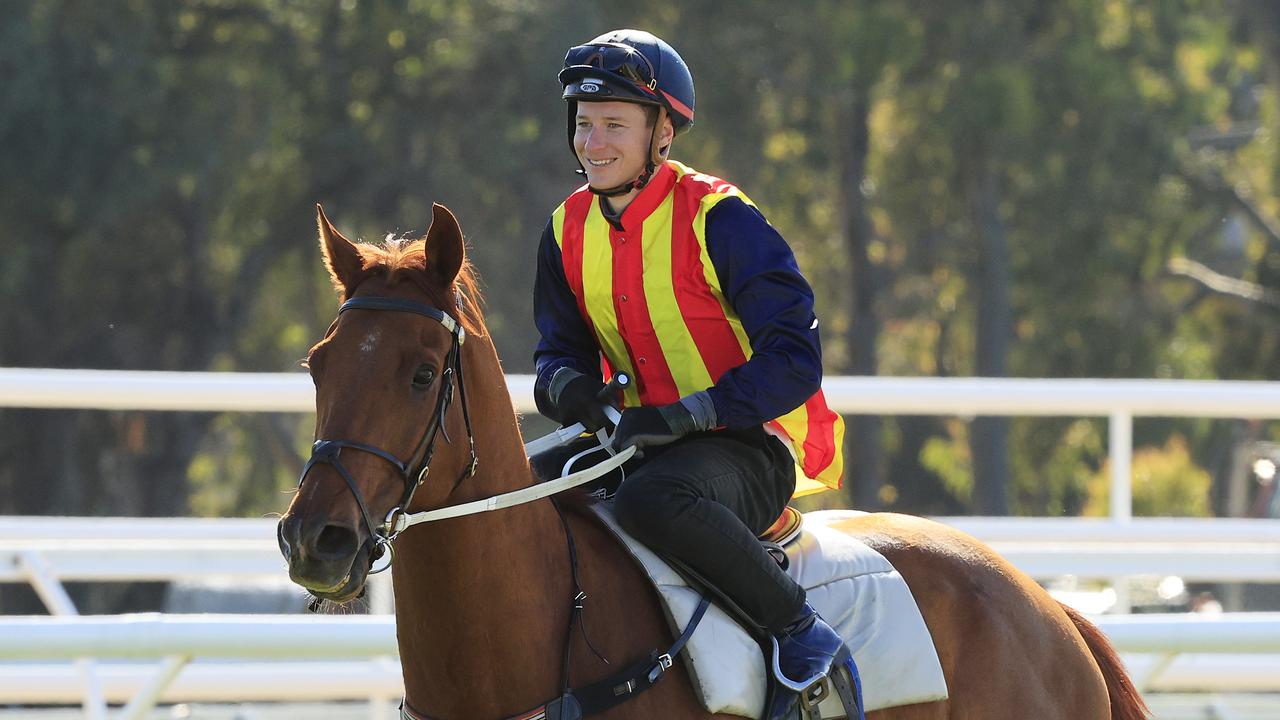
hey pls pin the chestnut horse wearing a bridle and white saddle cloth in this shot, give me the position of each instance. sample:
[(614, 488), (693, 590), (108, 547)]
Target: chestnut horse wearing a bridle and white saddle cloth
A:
[(414, 413)]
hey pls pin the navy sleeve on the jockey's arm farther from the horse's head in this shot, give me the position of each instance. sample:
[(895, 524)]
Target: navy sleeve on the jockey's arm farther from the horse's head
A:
[(762, 282)]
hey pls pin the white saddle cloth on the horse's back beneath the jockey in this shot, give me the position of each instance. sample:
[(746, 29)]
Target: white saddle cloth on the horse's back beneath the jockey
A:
[(852, 586)]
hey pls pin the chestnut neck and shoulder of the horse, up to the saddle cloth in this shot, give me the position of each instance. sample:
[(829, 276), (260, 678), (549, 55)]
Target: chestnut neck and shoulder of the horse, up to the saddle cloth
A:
[(484, 603)]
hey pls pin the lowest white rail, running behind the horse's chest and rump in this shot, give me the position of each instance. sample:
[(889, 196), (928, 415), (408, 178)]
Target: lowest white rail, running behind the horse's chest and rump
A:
[(1164, 653)]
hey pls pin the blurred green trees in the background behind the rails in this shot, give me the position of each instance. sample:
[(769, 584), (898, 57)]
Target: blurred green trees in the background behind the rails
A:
[(1081, 189)]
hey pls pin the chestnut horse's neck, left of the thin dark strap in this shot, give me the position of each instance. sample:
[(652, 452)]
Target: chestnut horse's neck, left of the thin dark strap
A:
[(490, 586)]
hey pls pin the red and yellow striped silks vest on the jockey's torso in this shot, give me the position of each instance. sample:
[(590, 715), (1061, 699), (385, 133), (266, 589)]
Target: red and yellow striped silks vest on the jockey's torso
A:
[(653, 300)]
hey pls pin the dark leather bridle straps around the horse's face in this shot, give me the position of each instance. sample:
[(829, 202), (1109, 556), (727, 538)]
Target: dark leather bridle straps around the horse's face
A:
[(330, 452)]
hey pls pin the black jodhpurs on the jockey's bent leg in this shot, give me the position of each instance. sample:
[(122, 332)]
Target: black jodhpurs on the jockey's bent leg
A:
[(703, 500)]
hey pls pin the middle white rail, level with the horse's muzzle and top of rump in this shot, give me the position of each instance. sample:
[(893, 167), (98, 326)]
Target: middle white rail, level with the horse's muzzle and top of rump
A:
[(149, 549)]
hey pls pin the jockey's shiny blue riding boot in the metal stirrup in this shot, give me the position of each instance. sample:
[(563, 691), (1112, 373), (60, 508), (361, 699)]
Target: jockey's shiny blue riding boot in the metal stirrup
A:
[(803, 655)]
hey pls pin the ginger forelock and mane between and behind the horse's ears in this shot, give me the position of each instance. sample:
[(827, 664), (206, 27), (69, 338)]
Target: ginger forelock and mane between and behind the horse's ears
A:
[(405, 261)]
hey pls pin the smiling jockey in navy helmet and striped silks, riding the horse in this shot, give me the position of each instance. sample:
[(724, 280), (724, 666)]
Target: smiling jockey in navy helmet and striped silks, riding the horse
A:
[(678, 280)]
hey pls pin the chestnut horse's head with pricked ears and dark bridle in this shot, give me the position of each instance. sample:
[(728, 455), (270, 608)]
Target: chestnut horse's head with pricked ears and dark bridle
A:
[(386, 376)]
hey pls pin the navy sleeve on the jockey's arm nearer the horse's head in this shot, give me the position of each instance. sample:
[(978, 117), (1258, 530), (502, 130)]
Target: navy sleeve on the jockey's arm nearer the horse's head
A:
[(566, 340)]
